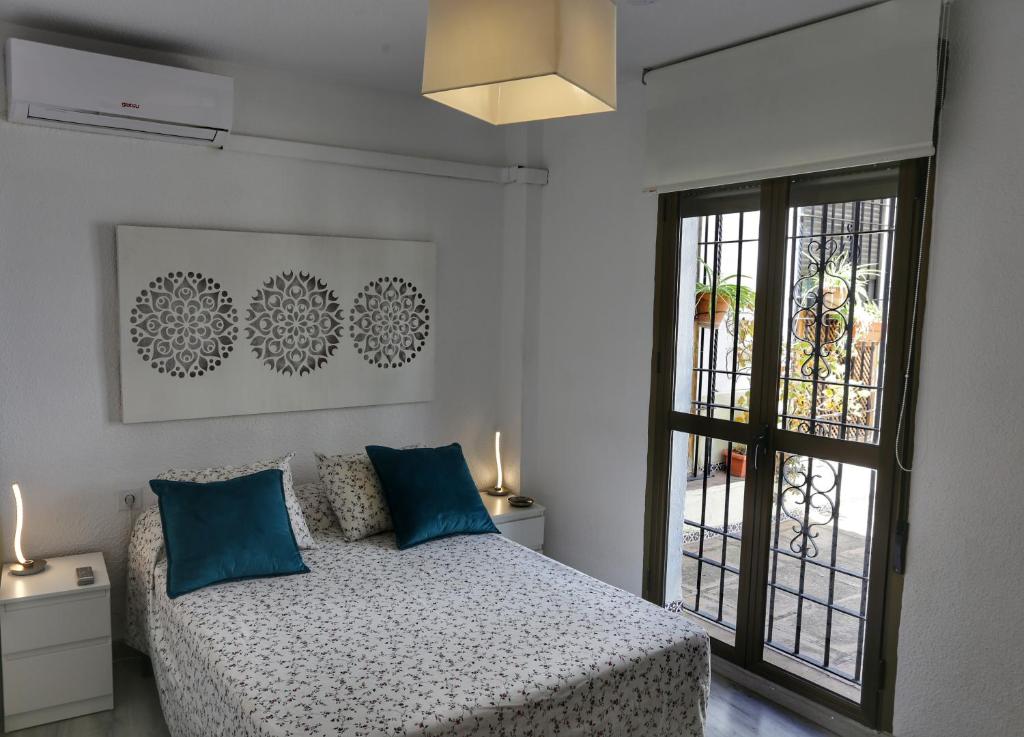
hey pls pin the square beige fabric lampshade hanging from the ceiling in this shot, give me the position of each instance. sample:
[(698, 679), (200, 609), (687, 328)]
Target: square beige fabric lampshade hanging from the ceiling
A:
[(518, 61)]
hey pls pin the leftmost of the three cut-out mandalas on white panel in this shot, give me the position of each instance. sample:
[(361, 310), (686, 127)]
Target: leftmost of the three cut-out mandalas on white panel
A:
[(184, 325)]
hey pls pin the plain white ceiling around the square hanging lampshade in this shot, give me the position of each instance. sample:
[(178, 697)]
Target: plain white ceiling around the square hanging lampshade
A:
[(379, 44)]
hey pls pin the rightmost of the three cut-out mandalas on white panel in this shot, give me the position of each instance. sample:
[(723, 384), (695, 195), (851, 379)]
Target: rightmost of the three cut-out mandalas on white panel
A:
[(390, 323)]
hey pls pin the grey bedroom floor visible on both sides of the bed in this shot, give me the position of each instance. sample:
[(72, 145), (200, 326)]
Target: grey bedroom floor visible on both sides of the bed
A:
[(734, 712)]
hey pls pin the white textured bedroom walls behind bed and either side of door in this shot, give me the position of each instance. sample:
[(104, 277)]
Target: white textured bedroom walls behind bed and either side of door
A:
[(576, 310)]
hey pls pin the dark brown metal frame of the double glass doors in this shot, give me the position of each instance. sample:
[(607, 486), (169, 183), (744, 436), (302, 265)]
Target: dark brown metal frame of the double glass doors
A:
[(890, 529)]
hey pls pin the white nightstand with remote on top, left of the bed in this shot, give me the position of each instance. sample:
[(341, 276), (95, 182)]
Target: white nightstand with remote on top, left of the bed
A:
[(56, 641)]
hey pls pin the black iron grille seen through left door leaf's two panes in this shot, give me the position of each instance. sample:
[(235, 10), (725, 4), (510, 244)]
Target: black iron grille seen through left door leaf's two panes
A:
[(716, 339)]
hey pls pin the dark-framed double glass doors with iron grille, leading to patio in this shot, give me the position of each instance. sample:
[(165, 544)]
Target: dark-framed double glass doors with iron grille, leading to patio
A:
[(774, 497)]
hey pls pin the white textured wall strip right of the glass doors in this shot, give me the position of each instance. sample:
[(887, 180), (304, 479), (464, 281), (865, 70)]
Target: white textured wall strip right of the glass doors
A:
[(962, 639)]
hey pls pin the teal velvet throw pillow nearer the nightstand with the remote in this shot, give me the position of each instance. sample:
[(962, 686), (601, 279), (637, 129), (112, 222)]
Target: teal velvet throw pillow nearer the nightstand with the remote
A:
[(226, 531)]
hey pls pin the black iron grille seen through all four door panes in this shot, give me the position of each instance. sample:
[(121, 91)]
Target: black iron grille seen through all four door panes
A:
[(832, 359)]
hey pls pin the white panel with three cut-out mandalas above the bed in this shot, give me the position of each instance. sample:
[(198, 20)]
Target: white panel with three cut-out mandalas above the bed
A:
[(218, 323)]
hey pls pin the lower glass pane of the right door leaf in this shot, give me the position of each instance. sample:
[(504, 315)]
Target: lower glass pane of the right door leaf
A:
[(820, 559)]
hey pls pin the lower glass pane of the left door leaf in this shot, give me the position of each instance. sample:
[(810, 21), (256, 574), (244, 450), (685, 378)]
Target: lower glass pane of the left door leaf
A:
[(706, 532)]
